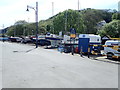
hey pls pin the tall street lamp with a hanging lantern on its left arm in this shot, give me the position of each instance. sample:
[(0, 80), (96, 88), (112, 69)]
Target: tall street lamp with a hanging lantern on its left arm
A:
[(36, 15)]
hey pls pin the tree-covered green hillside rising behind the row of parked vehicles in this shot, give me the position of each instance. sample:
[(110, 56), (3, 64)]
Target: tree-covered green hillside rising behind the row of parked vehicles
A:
[(84, 21)]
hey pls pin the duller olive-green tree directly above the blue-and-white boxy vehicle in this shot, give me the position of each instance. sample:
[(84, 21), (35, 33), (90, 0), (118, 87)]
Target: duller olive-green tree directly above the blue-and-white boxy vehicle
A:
[(90, 18)]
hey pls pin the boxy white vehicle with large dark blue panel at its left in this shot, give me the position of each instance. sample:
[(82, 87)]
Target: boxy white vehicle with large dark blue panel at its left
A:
[(88, 39)]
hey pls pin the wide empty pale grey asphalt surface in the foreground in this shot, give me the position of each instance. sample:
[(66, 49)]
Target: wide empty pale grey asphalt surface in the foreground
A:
[(23, 66)]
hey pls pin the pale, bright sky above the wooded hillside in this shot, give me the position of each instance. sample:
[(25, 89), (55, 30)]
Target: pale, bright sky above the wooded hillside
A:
[(14, 10)]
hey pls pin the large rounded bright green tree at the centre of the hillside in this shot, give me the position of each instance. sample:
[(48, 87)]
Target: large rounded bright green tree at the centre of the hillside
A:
[(66, 20)]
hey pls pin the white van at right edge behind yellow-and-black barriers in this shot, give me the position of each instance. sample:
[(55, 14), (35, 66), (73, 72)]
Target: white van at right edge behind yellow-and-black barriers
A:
[(110, 51)]
